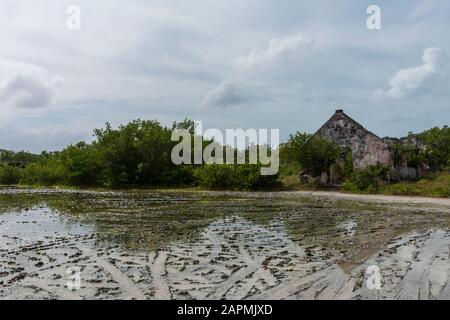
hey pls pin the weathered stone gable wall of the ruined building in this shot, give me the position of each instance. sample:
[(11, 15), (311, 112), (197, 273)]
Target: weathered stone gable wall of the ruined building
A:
[(367, 148)]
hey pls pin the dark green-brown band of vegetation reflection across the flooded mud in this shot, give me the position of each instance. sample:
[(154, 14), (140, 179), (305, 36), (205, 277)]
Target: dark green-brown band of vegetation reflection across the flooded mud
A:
[(142, 220)]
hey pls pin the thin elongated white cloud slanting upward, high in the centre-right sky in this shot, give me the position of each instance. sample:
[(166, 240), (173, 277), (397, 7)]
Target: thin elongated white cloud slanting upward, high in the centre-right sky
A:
[(275, 50)]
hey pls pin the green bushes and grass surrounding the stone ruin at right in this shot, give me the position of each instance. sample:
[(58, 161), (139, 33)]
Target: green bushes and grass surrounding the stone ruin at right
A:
[(314, 155)]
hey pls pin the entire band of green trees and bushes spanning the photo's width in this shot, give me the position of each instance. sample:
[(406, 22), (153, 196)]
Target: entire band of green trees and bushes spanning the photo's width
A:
[(138, 155)]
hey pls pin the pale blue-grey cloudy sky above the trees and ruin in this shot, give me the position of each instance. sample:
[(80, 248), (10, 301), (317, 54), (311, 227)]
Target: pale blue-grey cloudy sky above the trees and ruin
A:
[(284, 64)]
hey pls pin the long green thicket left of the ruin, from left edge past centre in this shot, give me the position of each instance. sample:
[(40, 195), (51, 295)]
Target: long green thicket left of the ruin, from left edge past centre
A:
[(134, 155)]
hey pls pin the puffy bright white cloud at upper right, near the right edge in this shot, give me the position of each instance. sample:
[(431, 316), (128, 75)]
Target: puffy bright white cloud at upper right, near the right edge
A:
[(409, 81)]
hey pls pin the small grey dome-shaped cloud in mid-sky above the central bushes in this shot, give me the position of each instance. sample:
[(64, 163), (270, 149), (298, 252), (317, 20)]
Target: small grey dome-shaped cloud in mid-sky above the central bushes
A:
[(226, 94)]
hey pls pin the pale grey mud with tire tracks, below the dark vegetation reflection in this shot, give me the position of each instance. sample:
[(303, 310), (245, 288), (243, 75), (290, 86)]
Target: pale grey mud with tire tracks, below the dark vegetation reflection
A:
[(232, 258)]
